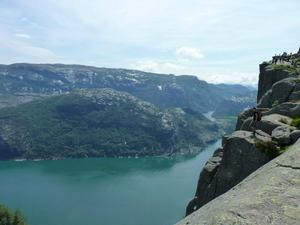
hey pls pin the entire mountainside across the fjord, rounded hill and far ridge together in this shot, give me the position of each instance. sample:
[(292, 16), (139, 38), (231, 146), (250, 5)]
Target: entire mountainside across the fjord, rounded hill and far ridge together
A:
[(64, 111)]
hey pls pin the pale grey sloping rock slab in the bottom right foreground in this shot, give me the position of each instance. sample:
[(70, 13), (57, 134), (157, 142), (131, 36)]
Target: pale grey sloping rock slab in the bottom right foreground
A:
[(270, 195)]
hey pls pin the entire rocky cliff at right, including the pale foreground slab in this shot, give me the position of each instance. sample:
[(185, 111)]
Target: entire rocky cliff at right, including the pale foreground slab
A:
[(243, 152)]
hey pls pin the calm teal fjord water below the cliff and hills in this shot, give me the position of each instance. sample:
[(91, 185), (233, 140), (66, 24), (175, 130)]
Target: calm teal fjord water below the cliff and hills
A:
[(105, 191)]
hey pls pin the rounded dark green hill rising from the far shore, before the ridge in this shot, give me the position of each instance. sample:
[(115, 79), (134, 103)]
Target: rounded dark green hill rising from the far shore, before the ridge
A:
[(97, 123)]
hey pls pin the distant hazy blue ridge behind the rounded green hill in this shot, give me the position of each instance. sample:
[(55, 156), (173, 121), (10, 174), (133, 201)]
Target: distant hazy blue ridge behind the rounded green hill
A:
[(25, 82)]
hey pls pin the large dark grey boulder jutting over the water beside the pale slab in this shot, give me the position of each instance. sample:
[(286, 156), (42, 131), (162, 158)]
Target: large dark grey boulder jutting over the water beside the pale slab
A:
[(240, 158)]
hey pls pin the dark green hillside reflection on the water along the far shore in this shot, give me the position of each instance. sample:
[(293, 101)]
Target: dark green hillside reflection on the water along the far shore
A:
[(109, 166)]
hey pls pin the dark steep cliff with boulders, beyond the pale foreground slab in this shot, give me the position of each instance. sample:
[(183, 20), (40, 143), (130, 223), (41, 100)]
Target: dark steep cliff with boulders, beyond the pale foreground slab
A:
[(242, 152)]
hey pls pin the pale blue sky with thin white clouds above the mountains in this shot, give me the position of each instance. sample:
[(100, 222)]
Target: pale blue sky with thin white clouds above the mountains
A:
[(220, 41)]
